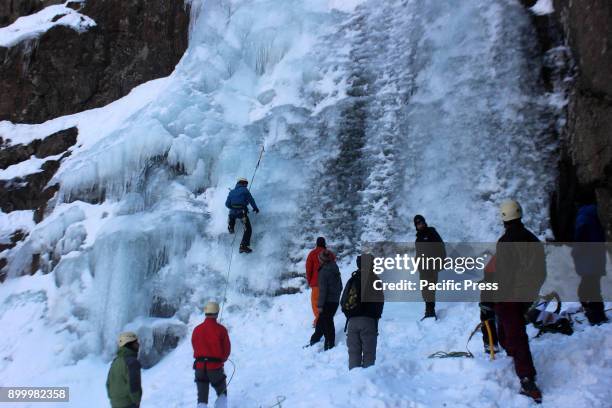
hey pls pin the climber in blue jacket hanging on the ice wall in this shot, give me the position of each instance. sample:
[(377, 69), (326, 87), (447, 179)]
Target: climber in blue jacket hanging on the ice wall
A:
[(237, 201)]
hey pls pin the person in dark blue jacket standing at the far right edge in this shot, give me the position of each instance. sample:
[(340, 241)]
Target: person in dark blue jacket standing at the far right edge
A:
[(589, 255)]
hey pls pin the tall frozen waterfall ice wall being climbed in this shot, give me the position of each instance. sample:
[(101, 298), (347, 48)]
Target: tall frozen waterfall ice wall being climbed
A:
[(367, 115)]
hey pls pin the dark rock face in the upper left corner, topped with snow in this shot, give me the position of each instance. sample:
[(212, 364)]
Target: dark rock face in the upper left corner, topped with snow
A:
[(65, 72)]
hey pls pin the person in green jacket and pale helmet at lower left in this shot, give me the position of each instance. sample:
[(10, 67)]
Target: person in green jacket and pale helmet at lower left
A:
[(123, 381)]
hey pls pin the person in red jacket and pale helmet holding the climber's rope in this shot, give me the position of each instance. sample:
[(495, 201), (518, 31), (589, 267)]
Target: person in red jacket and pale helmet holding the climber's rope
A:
[(211, 348)]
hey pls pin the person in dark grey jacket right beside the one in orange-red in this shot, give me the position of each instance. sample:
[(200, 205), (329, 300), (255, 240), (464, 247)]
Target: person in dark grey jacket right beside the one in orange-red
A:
[(330, 288)]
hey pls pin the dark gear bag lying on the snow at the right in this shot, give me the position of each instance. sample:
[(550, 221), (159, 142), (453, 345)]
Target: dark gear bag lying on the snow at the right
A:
[(549, 322)]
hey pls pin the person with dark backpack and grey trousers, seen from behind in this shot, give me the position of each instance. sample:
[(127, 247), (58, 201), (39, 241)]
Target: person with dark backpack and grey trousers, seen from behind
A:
[(362, 325)]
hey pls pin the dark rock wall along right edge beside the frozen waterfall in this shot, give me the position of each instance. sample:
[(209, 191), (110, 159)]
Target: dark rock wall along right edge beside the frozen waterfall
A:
[(586, 144)]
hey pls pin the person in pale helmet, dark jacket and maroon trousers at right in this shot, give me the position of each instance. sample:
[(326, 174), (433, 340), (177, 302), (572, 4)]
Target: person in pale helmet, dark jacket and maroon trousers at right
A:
[(520, 271)]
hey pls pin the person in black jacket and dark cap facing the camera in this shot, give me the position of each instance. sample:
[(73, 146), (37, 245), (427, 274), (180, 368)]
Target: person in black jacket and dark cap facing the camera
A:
[(430, 245)]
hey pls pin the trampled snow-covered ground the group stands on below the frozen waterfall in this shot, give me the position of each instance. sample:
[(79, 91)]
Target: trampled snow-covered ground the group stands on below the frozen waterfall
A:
[(267, 337)]
